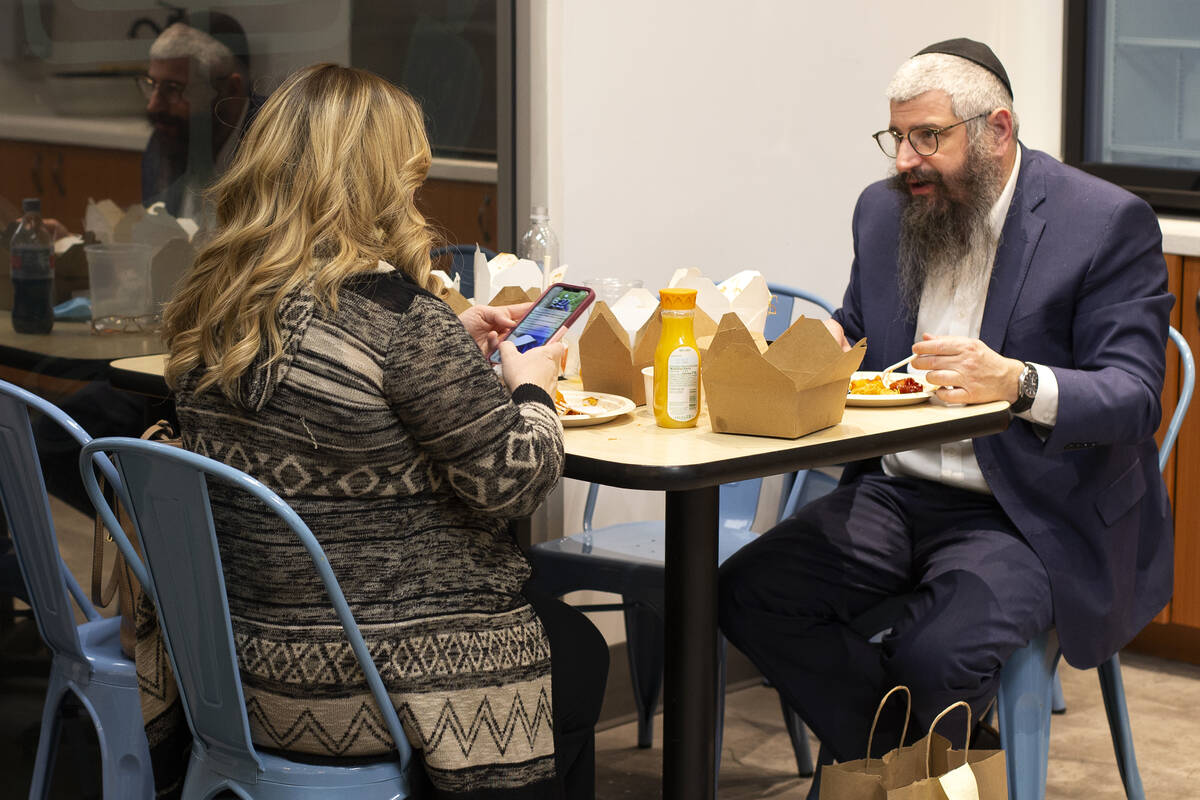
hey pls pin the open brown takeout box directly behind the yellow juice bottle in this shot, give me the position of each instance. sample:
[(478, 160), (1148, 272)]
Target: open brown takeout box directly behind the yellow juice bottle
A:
[(613, 364)]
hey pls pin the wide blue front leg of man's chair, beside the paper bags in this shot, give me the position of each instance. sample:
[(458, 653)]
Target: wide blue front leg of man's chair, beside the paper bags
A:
[(1024, 711)]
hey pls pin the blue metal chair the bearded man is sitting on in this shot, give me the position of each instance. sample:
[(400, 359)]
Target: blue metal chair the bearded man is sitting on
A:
[(1027, 681)]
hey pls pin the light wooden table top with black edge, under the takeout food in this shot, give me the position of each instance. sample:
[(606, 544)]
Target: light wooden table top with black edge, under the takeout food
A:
[(632, 452)]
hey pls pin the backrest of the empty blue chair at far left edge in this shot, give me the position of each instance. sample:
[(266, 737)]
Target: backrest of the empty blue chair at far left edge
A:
[(27, 508)]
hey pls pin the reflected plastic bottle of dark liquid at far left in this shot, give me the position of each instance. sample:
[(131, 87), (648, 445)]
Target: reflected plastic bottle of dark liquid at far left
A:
[(33, 272)]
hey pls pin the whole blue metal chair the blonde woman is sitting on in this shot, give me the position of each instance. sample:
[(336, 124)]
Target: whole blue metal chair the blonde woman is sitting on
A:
[(167, 497)]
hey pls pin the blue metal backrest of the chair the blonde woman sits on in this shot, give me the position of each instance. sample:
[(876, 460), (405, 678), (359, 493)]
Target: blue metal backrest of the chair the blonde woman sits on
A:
[(169, 500)]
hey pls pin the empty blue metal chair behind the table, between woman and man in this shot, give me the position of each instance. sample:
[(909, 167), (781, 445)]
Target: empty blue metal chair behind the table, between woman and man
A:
[(628, 560)]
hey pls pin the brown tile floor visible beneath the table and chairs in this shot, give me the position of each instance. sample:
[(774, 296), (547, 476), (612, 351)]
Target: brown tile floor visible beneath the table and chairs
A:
[(758, 761)]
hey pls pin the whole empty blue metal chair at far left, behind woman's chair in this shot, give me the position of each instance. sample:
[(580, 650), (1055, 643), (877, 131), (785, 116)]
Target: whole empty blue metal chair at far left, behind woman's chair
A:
[(87, 658)]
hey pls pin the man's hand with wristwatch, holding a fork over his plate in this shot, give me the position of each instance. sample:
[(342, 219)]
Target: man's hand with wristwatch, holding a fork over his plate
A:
[(967, 370)]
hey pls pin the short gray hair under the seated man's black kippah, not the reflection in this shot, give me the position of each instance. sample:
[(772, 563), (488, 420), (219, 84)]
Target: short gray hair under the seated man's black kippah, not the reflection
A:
[(973, 89)]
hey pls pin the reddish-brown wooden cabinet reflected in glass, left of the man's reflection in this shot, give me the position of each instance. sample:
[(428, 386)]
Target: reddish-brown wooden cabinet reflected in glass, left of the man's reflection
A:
[(64, 177)]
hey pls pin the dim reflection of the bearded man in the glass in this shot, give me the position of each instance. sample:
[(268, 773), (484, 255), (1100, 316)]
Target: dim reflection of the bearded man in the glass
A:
[(199, 100)]
